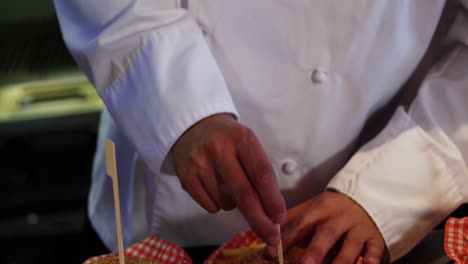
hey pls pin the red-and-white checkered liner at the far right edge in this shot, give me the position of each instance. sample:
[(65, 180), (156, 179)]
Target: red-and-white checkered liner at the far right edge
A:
[(456, 239)]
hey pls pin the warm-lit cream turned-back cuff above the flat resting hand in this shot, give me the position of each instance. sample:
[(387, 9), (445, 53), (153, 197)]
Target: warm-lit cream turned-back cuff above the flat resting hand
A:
[(405, 181)]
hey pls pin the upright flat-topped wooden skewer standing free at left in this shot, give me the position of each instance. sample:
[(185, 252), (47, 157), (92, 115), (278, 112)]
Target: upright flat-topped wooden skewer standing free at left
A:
[(111, 170)]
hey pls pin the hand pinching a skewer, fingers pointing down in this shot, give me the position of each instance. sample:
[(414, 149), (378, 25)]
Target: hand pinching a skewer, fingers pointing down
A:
[(221, 164)]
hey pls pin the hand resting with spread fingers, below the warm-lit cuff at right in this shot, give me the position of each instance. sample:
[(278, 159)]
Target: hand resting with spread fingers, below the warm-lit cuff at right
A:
[(325, 219)]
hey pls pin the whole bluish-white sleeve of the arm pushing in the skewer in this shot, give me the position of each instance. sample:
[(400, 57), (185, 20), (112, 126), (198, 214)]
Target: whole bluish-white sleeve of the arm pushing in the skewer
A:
[(151, 65)]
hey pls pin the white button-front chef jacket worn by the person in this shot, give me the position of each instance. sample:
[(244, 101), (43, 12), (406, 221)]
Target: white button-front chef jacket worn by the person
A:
[(304, 76)]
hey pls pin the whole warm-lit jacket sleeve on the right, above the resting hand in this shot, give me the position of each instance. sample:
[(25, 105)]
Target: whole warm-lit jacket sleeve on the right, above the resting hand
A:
[(414, 173)]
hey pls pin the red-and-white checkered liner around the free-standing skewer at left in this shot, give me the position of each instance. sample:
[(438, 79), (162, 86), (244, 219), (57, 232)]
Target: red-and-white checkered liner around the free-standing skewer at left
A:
[(154, 248)]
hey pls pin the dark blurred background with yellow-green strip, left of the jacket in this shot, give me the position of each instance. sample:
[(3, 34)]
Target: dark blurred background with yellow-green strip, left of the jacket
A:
[(49, 115)]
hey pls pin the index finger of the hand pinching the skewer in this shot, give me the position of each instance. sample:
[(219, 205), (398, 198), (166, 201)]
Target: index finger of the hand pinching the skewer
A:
[(258, 168)]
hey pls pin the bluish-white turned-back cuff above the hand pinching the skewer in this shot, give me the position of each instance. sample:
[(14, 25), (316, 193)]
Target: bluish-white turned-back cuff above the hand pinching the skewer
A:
[(168, 83)]
